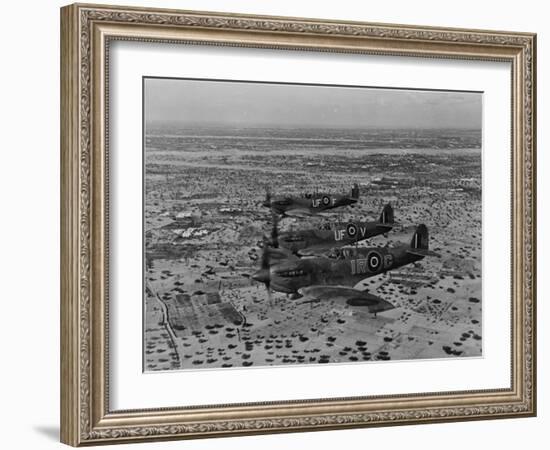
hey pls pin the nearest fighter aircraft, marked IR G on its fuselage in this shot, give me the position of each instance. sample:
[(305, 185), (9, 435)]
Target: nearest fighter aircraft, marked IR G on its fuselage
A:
[(325, 279)]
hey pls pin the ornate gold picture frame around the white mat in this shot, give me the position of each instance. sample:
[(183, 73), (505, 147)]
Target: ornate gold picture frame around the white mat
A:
[(87, 31)]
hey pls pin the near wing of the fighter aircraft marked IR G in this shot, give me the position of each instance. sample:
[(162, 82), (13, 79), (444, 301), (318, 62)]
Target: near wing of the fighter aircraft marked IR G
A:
[(350, 296)]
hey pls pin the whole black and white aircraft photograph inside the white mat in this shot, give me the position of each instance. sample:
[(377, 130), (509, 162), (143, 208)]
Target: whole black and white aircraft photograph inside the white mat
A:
[(289, 224)]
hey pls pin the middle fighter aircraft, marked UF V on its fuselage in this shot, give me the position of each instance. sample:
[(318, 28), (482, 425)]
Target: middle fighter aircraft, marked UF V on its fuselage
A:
[(316, 241)]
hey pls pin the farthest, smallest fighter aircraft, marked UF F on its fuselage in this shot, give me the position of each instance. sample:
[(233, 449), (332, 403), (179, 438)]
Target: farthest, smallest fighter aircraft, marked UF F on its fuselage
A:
[(309, 204)]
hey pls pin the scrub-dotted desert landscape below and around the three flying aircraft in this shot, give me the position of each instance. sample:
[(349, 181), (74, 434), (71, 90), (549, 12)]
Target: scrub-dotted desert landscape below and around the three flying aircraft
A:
[(204, 223)]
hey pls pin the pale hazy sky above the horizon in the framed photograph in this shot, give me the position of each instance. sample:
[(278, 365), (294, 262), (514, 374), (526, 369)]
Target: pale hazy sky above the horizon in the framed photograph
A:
[(241, 104)]
